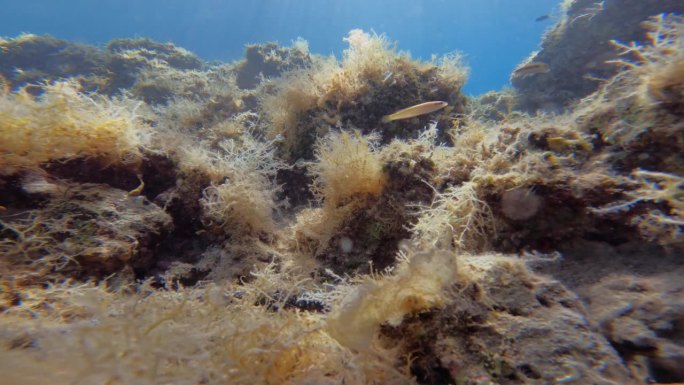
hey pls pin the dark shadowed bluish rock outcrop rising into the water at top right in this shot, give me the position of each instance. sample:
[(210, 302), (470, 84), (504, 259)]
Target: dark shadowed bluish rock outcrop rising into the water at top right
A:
[(579, 50)]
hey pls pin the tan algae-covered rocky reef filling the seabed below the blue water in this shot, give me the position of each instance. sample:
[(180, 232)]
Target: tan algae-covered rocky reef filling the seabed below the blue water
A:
[(166, 220)]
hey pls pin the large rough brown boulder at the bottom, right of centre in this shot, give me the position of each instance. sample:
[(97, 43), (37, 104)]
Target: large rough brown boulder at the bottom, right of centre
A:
[(492, 327)]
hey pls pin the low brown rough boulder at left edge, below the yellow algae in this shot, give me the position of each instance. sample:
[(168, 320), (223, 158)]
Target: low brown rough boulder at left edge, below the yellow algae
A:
[(81, 231)]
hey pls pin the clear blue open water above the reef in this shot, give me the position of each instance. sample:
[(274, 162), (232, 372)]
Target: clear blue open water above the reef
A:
[(495, 35)]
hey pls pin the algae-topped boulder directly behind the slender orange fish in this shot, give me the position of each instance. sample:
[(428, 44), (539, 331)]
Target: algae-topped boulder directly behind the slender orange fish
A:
[(372, 80)]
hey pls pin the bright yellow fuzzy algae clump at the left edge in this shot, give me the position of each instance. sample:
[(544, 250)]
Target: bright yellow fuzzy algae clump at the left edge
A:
[(64, 123)]
